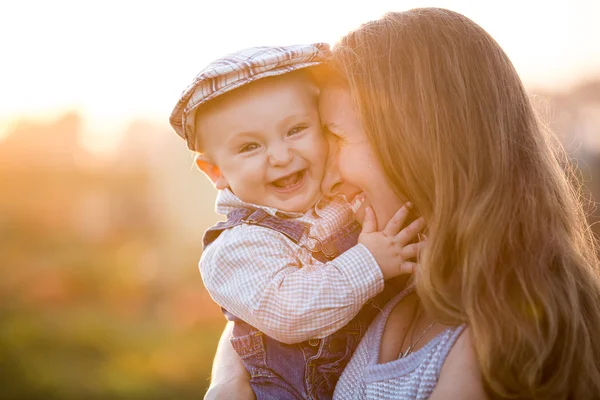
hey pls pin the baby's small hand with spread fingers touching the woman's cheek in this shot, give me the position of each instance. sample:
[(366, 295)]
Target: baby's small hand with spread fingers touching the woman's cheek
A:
[(392, 247)]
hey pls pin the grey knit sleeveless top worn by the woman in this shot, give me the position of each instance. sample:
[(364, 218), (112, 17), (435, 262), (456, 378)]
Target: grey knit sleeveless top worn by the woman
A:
[(411, 377)]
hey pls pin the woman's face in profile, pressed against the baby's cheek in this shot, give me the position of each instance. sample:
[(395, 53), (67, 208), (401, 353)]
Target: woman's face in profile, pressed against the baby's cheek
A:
[(352, 167)]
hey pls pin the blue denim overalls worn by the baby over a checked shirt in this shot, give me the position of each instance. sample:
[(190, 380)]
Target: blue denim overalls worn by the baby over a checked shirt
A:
[(307, 370)]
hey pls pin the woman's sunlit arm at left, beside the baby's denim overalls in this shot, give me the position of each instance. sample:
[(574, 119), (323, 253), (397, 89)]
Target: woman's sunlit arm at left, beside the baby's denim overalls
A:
[(229, 379)]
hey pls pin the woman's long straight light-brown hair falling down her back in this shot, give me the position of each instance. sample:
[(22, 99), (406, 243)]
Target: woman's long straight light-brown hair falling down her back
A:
[(510, 251)]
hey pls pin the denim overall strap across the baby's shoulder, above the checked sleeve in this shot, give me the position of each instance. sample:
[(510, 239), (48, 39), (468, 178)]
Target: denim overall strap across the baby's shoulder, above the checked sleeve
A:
[(293, 230)]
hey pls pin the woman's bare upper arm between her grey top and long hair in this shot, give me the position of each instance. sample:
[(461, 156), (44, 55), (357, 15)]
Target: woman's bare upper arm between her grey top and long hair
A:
[(460, 377)]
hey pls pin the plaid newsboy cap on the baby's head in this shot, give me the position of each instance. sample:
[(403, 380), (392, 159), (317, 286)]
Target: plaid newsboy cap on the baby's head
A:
[(238, 69)]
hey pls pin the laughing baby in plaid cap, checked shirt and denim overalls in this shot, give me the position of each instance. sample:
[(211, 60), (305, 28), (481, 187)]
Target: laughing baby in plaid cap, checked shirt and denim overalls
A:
[(289, 266)]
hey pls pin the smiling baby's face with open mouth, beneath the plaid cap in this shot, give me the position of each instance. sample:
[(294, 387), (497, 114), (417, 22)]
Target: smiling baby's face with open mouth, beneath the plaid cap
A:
[(267, 143)]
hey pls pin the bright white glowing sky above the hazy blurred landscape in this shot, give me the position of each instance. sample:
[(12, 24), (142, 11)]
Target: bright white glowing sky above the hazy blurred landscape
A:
[(115, 61)]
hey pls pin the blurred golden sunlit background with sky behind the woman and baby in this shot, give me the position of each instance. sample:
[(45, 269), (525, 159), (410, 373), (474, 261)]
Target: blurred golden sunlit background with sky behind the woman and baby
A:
[(101, 210)]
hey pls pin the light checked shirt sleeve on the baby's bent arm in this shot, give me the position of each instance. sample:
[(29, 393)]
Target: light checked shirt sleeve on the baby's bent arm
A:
[(256, 275)]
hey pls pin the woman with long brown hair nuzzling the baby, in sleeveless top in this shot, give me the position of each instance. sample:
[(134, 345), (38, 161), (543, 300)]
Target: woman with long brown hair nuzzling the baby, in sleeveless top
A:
[(425, 106)]
